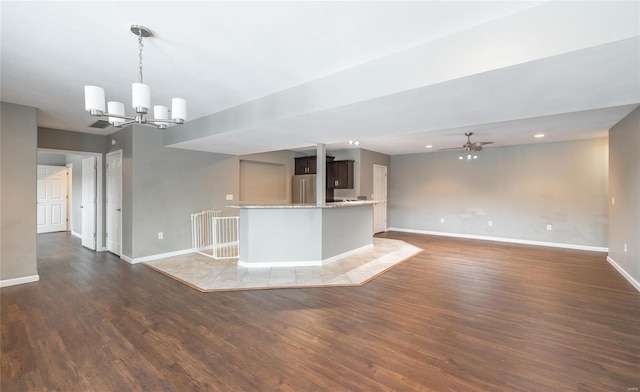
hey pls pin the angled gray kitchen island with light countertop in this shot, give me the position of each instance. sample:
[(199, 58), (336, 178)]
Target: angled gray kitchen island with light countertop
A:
[(302, 235)]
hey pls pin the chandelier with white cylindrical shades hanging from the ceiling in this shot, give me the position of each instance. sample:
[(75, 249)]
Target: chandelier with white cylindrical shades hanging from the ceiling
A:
[(94, 101)]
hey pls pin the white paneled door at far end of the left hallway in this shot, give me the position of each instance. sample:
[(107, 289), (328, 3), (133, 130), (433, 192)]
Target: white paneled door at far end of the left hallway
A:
[(52, 199)]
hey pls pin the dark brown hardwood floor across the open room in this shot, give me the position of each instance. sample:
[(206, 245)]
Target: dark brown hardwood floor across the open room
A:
[(463, 315)]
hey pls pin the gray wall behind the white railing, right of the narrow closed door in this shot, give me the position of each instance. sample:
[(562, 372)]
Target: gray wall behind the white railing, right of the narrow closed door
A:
[(162, 186)]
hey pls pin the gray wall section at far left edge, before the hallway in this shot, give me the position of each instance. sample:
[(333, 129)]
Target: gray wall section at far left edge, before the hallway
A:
[(18, 146)]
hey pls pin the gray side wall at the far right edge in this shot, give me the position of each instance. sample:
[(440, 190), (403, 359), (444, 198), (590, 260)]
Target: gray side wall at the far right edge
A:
[(624, 186)]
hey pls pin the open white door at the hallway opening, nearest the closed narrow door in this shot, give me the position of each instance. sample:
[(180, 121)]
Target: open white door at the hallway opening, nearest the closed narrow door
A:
[(89, 203)]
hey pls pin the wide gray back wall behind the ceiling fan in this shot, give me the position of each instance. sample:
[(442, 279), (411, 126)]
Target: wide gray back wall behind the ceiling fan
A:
[(521, 189)]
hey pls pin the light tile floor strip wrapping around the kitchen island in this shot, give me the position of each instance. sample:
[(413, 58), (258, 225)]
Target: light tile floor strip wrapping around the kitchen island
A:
[(206, 274)]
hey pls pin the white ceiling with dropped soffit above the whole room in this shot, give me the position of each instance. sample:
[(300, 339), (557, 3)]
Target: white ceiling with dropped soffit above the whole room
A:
[(262, 76)]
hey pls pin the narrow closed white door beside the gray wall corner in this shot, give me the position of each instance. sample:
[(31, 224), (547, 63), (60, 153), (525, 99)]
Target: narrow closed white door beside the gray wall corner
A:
[(114, 202)]
